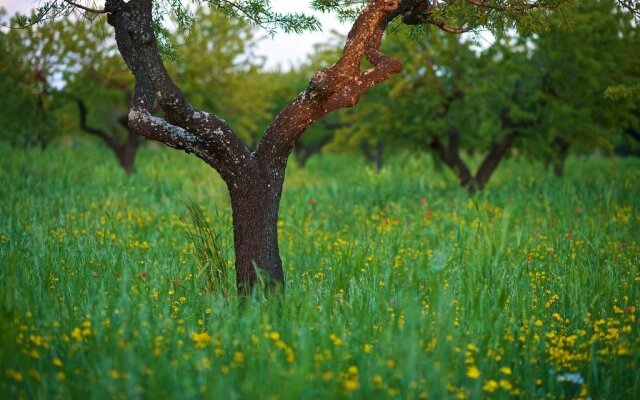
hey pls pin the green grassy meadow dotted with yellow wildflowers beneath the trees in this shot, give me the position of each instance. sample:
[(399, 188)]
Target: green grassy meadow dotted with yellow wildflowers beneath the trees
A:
[(399, 284)]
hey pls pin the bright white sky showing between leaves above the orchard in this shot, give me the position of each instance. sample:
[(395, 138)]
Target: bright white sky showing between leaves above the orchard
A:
[(280, 50)]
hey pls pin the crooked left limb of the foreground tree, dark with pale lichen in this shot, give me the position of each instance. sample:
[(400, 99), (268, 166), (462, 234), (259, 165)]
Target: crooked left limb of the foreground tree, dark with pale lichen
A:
[(185, 127)]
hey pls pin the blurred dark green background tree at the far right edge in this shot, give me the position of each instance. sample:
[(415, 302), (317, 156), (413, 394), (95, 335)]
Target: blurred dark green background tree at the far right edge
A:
[(573, 69)]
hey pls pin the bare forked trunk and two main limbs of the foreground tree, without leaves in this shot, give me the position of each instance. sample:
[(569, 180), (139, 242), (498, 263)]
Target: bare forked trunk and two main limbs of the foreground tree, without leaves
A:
[(254, 178)]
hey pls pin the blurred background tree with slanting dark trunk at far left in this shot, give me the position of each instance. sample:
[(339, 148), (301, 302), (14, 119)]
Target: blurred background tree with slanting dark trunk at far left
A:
[(78, 81)]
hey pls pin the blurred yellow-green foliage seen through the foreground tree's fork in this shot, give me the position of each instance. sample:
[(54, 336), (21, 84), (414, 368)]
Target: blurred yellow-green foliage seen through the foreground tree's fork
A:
[(219, 71)]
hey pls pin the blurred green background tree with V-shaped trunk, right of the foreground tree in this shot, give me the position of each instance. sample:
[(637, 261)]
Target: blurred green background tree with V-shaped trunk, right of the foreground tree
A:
[(450, 99)]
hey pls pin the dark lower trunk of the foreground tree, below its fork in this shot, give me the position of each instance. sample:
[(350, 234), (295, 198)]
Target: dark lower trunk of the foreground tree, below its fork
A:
[(255, 203)]
